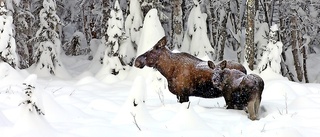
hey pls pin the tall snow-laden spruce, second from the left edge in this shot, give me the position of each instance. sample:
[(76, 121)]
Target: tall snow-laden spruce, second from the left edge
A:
[(47, 41)]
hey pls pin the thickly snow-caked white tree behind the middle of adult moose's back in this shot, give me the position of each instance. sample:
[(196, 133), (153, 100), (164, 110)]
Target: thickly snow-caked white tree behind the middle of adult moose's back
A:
[(197, 32)]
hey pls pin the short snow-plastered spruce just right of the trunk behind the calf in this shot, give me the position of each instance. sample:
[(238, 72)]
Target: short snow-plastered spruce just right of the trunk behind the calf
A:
[(272, 54)]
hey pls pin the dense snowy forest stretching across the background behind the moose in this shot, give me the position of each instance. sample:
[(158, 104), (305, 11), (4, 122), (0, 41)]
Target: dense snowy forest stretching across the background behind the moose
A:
[(280, 34)]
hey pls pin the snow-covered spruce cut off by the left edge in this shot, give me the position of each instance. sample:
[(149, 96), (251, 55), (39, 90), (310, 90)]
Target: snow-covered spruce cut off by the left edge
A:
[(7, 40)]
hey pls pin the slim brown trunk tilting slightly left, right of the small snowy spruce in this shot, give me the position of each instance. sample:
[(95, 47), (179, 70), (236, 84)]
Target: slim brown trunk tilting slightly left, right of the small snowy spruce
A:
[(295, 50)]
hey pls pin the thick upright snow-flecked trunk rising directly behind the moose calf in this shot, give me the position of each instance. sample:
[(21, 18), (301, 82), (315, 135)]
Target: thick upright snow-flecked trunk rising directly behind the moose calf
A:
[(249, 55)]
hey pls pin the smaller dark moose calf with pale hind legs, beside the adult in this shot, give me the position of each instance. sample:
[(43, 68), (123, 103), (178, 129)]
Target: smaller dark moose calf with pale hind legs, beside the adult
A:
[(240, 91)]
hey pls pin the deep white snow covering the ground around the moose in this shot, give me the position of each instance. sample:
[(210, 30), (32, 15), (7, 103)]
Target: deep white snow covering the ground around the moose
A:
[(85, 106)]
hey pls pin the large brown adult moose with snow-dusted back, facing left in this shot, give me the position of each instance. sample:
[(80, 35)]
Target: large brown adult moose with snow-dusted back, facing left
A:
[(187, 75)]
